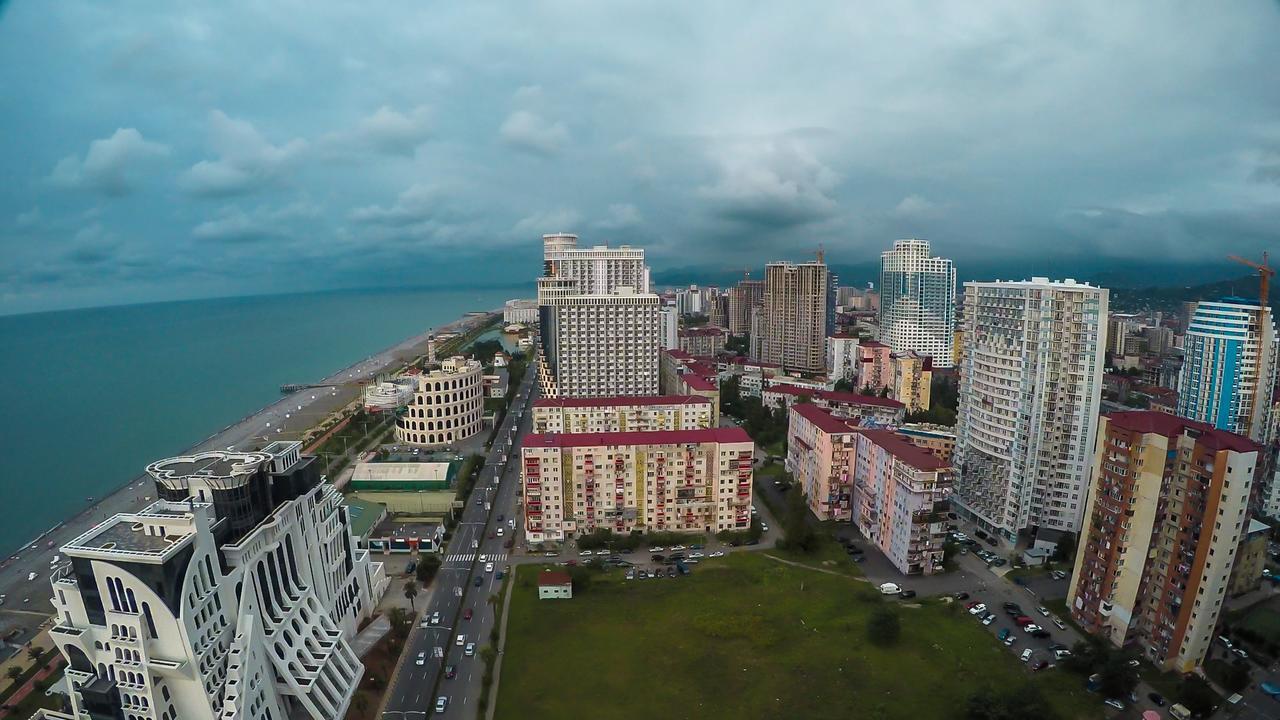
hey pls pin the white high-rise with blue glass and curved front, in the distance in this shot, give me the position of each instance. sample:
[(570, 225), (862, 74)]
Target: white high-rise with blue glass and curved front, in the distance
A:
[(918, 302)]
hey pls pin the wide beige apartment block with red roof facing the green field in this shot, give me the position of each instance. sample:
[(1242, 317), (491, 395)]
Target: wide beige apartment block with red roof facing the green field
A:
[(669, 481)]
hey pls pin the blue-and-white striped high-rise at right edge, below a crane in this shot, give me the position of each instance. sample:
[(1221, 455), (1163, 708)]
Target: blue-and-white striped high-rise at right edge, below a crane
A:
[(1229, 359)]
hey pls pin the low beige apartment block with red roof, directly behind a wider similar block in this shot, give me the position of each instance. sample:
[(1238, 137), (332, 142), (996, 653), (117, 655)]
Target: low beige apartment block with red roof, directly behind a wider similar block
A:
[(623, 414)]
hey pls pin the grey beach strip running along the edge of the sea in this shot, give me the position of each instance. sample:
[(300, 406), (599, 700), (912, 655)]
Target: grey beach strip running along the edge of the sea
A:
[(345, 385)]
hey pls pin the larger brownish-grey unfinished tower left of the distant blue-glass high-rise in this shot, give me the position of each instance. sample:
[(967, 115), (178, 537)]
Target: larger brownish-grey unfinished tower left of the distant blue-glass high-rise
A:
[(797, 316)]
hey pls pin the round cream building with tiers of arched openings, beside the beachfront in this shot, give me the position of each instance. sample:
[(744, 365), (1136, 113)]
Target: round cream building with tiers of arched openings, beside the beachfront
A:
[(447, 405)]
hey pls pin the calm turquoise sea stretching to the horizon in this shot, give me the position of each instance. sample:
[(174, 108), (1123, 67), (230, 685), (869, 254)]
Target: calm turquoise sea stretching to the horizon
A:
[(92, 397)]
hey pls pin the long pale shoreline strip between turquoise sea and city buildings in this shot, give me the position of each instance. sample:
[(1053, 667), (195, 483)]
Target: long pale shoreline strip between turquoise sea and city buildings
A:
[(25, 604)]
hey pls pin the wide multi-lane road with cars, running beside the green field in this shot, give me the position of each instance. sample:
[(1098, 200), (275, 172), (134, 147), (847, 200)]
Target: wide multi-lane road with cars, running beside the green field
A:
[(454, 591)]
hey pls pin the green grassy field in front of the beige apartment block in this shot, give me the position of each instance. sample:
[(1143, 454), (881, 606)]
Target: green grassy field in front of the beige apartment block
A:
[(749, 637)]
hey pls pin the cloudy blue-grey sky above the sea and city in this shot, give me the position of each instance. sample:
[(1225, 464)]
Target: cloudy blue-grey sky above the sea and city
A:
[(175, 151)]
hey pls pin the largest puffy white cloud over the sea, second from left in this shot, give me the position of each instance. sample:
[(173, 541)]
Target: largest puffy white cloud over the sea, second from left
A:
[(245, 162)]
